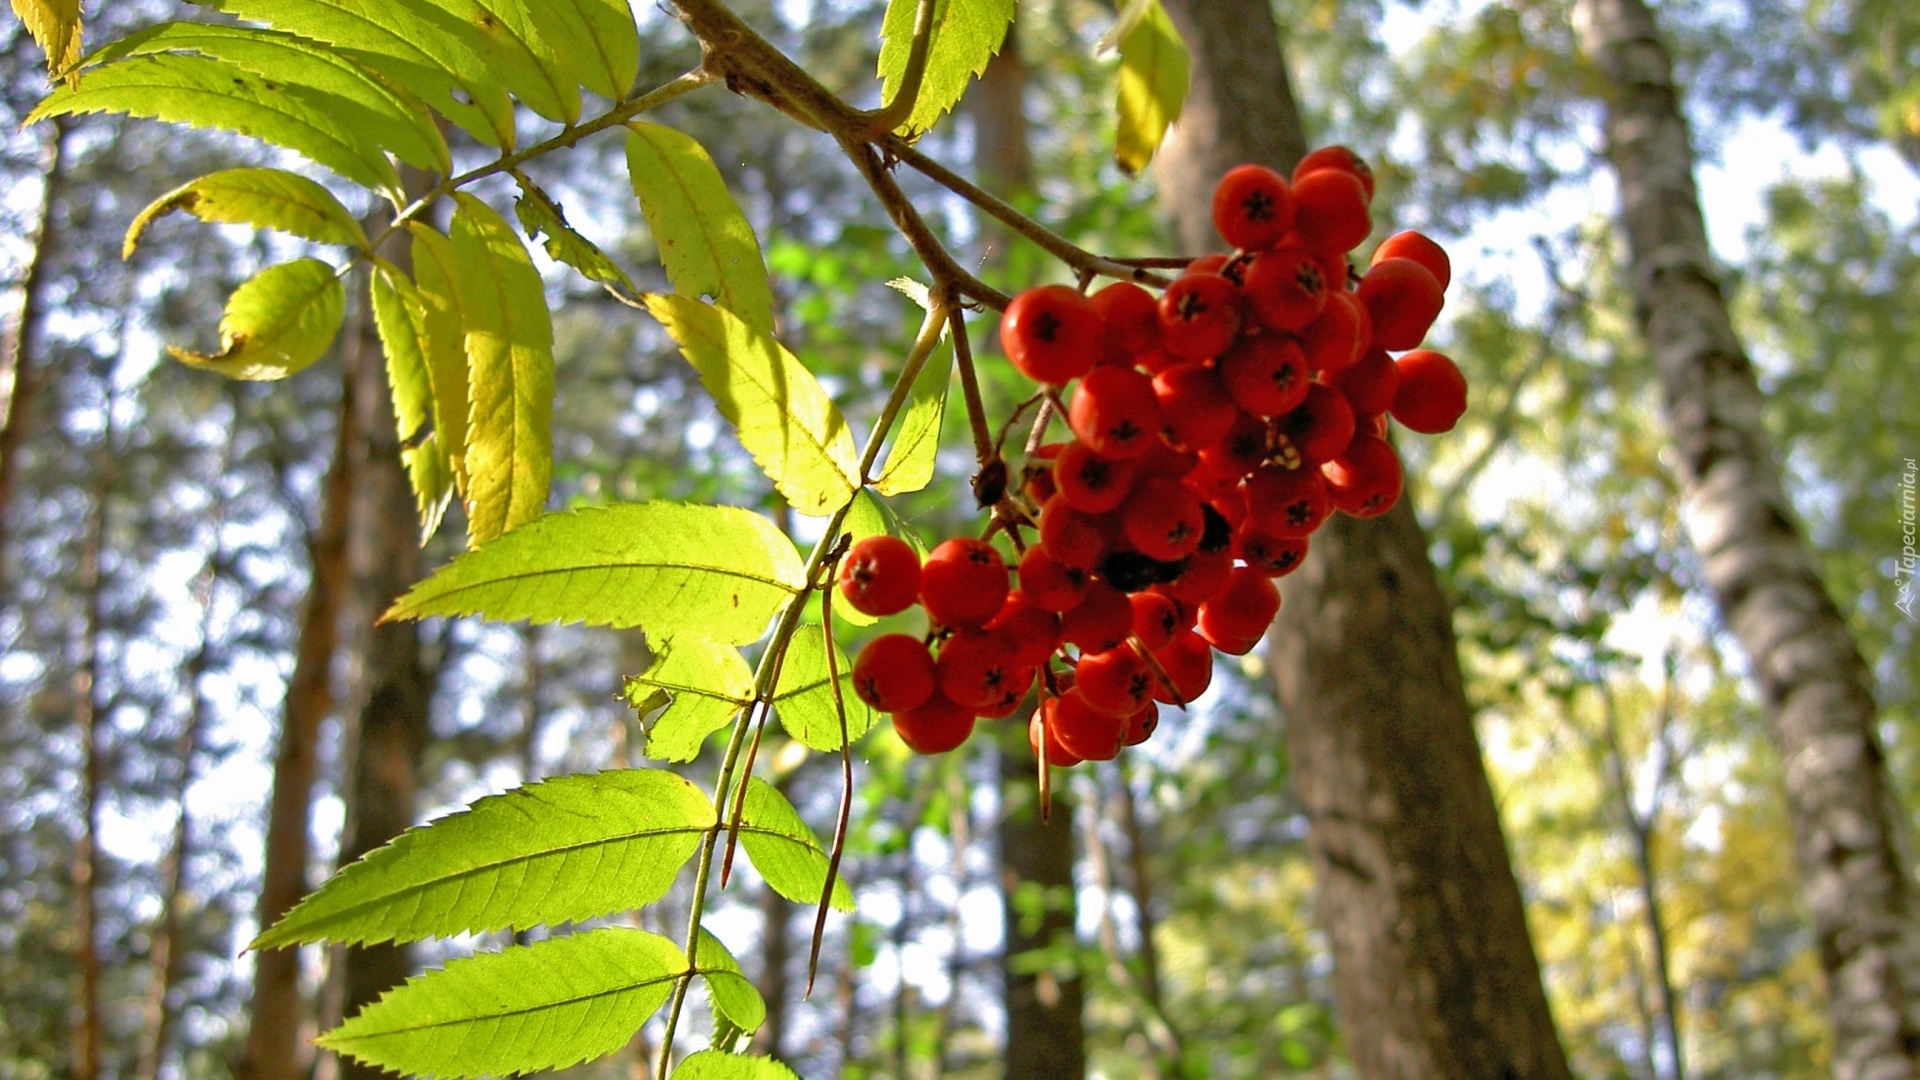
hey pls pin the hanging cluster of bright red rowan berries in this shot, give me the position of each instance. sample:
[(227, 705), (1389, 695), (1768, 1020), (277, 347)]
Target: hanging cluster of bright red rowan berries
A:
[(1214, 430)]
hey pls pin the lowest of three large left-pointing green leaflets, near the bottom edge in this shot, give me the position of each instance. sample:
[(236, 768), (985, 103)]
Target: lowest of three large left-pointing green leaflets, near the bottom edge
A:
[(523, 1010)]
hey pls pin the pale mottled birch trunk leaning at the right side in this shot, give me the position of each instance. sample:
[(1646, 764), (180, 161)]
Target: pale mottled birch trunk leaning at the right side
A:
[(1848, 829)]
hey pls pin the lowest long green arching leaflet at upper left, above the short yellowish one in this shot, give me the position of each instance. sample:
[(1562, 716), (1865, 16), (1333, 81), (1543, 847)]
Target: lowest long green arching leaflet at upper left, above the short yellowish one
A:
[(201, 91)]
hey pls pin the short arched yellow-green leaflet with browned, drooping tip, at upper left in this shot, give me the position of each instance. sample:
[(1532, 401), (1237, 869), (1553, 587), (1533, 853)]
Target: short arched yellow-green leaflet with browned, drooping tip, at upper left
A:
[(264, 199)]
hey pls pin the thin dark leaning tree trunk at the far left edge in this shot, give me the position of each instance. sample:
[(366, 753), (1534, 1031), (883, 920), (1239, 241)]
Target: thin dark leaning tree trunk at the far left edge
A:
[(20, 362)]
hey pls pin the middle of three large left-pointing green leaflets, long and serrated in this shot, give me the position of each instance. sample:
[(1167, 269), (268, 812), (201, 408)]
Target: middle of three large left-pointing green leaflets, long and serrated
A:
[(556, 852)]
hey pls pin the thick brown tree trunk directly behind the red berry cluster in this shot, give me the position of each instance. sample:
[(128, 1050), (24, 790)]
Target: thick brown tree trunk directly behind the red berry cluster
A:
[(1435, 973)]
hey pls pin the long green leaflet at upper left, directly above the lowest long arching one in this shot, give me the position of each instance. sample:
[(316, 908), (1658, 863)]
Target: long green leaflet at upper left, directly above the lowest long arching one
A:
[(308, 70)]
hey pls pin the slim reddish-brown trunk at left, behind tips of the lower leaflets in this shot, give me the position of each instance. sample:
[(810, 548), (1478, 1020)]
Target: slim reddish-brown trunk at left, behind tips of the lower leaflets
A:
[(274, 1046)]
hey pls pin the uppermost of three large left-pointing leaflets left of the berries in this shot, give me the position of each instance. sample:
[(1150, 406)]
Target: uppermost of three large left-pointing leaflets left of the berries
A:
[(706, 572)]
